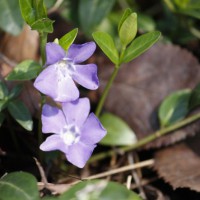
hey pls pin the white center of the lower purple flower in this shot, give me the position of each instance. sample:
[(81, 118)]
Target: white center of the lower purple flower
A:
[(70, 134)]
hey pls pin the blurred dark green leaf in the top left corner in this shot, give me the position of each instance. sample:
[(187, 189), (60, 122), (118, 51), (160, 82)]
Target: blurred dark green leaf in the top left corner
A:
[(11, 20)]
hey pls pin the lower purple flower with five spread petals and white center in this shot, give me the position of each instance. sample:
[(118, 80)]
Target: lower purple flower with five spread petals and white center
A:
[(76, 131)]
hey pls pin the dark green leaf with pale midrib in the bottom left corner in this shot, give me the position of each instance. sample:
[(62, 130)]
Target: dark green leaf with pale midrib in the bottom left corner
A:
[(18, 186)]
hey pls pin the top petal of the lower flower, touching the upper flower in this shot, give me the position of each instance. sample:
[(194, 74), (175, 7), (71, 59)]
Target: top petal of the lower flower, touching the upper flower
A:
[(76, 112)]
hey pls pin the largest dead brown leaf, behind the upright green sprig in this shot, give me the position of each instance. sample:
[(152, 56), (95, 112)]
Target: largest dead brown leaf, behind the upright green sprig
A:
[(141, 85)]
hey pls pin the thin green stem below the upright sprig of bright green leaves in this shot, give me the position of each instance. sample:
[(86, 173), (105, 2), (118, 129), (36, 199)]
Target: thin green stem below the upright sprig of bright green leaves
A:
[(105, 92)]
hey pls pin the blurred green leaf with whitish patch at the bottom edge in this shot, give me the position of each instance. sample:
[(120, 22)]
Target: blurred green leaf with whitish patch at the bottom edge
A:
[(99, 190)]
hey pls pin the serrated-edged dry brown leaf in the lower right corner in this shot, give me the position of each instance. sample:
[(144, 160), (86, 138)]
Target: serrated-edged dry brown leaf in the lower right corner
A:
[(179, 164)]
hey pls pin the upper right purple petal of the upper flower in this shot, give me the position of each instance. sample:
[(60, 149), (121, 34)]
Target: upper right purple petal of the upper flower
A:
[(81, 52)]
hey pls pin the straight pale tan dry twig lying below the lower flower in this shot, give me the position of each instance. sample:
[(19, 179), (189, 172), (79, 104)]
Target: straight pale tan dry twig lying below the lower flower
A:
[(122, 169)]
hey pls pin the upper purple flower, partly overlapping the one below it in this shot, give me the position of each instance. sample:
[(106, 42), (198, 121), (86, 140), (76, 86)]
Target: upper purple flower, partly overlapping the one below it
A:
[(57, 79)]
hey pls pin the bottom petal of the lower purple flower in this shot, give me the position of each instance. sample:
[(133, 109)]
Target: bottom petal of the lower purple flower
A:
[(79, 153)]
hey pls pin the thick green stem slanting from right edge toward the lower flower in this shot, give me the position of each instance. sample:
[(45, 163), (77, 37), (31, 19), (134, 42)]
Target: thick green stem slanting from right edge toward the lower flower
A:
[(149, 138)]
